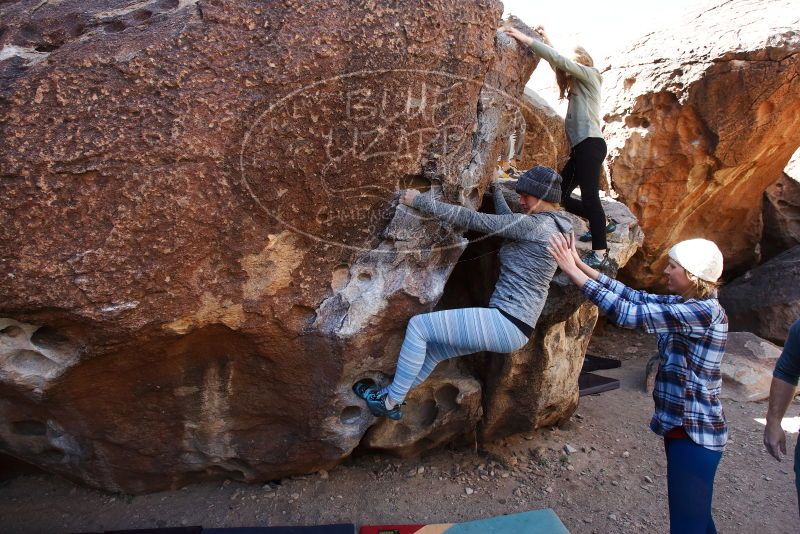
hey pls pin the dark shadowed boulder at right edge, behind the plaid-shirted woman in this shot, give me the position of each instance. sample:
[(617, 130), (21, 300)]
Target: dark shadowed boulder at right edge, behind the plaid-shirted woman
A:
[(766, 300)]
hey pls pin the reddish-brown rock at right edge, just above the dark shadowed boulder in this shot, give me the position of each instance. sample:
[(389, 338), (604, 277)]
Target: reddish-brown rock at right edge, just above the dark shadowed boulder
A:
[(781, 213)]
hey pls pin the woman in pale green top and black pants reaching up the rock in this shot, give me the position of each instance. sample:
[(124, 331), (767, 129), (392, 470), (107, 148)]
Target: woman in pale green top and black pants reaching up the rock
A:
[(580, 81)]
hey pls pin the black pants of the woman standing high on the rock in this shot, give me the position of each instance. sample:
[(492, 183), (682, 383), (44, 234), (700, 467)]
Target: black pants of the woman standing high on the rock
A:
[(583, 170)]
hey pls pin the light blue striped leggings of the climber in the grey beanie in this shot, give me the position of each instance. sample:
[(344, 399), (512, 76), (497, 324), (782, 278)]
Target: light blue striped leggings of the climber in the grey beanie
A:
[(433, 337)]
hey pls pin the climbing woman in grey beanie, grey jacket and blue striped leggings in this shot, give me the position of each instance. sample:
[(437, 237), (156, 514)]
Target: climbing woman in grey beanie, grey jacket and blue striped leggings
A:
[(526, 269)]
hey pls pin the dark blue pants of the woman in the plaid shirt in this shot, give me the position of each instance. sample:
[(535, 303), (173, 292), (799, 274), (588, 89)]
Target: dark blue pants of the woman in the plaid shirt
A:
[(690, 484)]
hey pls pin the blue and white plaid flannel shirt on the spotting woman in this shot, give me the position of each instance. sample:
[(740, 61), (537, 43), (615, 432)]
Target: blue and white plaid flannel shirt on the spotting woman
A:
[(691, 343)]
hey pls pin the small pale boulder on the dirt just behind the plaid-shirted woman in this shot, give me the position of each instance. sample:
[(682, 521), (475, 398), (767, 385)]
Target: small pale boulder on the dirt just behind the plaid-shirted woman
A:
[(747, 367)]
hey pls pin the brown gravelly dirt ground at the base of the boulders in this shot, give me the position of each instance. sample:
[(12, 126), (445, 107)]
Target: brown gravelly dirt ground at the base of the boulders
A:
[(613, 481)]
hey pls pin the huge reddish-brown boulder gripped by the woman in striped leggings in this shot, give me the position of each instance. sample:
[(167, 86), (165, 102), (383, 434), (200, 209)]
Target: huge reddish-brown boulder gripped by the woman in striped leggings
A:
[(201, 245)]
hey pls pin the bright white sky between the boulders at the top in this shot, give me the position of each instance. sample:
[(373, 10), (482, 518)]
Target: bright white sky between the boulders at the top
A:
[(600, 27)]
